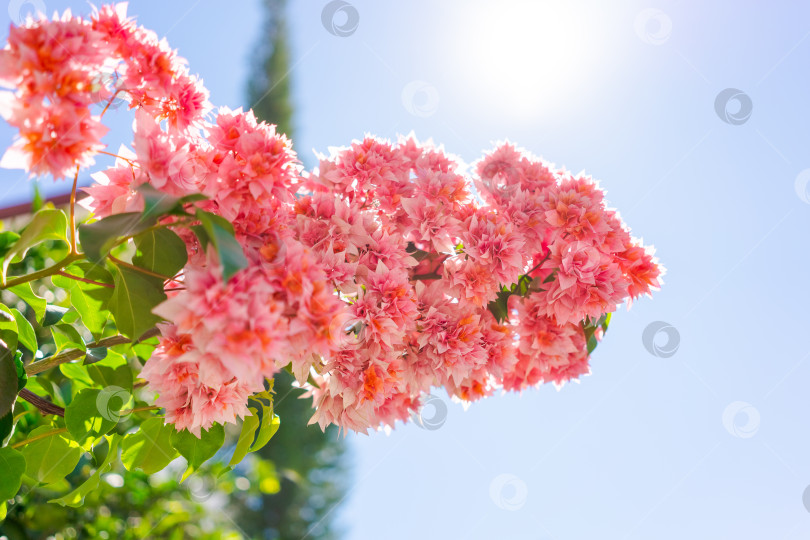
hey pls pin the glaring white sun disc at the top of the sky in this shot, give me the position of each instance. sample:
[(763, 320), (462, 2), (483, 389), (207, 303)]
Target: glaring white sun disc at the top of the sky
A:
[(525, 58)]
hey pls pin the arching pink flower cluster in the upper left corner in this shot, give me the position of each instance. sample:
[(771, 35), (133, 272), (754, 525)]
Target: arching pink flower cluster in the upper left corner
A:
[(62, 67)]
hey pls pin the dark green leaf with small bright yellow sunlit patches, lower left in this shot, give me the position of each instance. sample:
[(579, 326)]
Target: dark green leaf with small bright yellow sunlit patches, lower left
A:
[(90, 414)]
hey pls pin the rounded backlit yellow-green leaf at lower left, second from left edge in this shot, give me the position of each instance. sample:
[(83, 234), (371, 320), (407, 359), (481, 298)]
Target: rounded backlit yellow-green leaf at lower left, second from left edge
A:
[(50, 458)]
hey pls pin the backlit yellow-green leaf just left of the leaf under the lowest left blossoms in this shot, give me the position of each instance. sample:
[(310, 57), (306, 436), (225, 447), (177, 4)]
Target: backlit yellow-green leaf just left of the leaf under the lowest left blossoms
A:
[(150, 448)]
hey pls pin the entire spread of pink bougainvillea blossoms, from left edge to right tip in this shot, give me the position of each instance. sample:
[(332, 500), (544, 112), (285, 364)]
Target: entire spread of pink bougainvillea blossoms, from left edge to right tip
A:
[(384, 273)]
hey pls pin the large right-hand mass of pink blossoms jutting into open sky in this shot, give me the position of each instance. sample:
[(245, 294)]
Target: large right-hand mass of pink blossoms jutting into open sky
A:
[(422, 253)]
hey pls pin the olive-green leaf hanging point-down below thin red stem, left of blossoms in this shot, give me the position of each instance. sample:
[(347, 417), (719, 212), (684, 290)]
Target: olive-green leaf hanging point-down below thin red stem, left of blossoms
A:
[(135, 295)]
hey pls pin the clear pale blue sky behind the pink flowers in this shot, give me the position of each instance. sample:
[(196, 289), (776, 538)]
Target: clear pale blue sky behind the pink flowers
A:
[(640, 448)]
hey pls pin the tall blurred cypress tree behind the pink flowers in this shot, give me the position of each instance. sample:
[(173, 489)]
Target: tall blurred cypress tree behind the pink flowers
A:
[(308, 461)]
